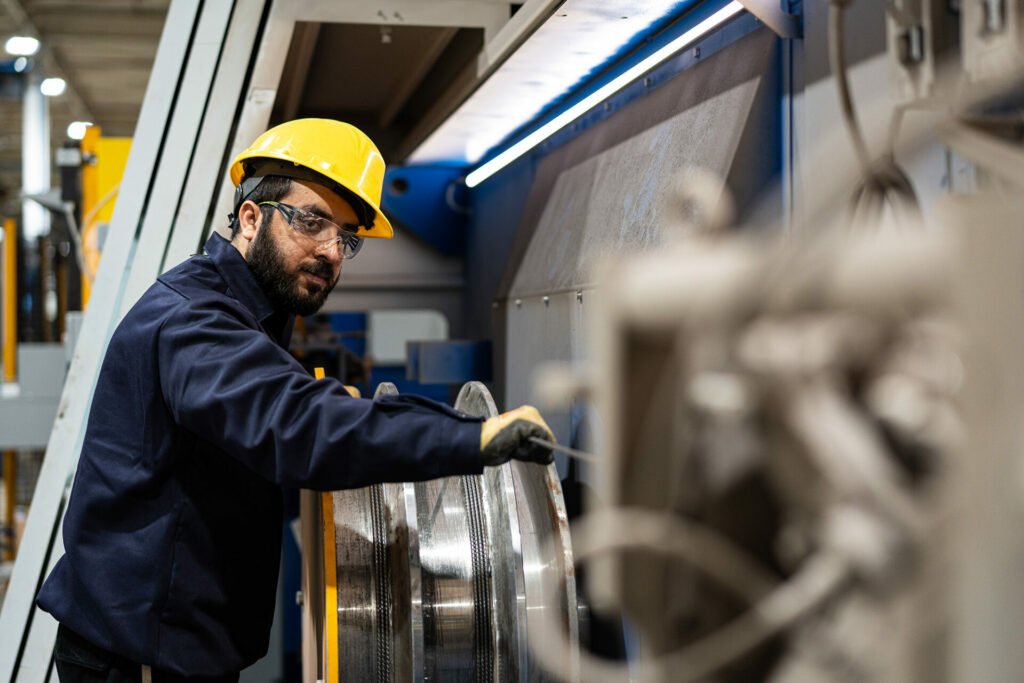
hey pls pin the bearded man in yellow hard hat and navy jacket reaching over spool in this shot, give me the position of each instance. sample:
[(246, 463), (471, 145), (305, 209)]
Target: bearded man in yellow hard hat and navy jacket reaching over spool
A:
[(200, 416)]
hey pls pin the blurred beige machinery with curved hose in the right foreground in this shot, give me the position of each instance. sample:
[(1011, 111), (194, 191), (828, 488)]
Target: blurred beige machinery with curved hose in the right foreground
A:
[(808, 451)]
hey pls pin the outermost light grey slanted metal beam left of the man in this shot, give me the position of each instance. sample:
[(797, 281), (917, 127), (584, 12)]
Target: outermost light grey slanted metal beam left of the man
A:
[(28, 657)]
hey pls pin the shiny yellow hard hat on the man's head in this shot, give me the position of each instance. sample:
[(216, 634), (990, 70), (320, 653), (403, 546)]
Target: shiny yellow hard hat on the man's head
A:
[(319, 149)]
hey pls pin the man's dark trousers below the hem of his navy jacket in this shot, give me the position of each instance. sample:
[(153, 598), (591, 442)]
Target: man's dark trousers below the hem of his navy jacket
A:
[(78, 661)]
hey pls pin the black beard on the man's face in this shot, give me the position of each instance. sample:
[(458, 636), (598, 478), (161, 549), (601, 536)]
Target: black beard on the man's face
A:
[(280, 286)]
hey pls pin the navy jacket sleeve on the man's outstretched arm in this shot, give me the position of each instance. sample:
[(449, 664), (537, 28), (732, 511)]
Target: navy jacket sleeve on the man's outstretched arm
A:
[(232, 386)]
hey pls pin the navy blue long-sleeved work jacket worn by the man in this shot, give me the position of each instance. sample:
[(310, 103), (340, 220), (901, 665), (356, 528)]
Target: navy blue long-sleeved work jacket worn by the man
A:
[(173, 535)]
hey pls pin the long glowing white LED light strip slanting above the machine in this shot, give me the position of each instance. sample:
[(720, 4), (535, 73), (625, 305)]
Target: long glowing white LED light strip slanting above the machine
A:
[(489, 168)]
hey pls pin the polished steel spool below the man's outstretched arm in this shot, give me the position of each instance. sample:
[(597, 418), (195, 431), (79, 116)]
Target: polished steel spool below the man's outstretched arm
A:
[(437, 580)]
